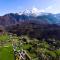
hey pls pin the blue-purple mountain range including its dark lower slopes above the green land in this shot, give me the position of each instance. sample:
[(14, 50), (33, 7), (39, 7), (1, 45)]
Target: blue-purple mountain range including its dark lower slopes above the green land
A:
[(45, 25)]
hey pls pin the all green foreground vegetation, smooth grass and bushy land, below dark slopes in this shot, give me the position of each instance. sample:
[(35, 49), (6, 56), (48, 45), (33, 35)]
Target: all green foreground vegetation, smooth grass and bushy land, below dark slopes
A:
[(36, 49)]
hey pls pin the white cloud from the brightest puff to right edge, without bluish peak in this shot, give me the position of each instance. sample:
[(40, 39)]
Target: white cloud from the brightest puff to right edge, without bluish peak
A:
[(49, 9)]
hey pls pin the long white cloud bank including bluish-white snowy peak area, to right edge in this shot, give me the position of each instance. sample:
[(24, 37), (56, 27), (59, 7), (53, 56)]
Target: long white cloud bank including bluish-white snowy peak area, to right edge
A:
[(49, 9)]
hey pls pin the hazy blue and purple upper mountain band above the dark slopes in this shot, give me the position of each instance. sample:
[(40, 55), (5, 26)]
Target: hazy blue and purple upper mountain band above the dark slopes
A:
[(44, 18)]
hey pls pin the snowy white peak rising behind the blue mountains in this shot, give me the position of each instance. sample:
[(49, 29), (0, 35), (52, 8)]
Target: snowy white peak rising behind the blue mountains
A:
[(34, 11)]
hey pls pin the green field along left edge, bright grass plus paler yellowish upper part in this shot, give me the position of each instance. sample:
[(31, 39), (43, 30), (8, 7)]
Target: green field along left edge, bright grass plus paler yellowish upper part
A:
[(6, 49)]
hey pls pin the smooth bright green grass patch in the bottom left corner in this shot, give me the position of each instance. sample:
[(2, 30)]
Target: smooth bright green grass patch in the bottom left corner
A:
[(6, 53)]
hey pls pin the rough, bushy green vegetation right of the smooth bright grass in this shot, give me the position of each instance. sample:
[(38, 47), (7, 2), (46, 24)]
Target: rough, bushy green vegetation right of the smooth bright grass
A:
[(39, 50)]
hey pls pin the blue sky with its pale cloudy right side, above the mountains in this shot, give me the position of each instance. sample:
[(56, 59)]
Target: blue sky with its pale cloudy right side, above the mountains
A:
[(15, 6)]
